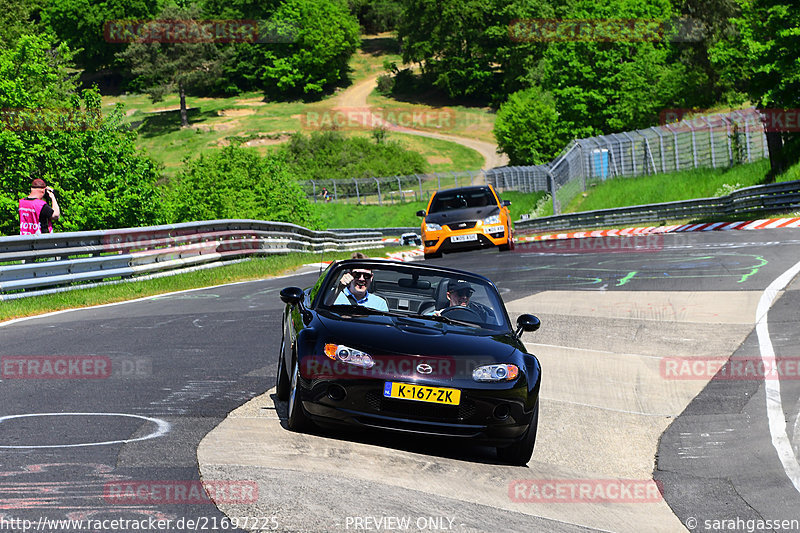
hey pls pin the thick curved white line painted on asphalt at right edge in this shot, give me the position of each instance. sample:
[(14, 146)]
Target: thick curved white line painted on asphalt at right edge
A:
[(772, 387)]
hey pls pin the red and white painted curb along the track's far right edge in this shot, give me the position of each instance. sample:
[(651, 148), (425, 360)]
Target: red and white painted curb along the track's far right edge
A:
[(767, 223)]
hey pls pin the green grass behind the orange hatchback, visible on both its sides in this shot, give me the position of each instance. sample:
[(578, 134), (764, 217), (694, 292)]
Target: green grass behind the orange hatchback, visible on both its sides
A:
[(335, 215)]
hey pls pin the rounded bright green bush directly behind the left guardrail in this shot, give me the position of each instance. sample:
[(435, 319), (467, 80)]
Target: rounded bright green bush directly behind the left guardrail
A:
[(237, 182)]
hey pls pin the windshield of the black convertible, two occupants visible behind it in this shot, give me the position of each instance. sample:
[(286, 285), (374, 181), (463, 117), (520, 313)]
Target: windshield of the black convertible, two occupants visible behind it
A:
[(454, 298)]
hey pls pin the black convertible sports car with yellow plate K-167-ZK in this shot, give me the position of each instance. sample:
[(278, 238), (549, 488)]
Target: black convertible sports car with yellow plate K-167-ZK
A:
[(411, 348)]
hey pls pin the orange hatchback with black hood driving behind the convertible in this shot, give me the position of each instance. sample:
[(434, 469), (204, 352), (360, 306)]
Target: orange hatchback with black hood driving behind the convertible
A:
[(465, 218)]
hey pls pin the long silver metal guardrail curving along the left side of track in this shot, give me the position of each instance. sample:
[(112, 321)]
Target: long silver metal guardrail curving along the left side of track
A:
[(35, 264)]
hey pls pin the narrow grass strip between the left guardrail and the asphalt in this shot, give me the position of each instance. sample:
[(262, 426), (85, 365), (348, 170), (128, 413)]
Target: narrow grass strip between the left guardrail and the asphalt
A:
[(256, 268)]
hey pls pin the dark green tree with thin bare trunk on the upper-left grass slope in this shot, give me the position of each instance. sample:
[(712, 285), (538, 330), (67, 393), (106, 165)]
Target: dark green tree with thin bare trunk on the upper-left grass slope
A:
[(179, 62)]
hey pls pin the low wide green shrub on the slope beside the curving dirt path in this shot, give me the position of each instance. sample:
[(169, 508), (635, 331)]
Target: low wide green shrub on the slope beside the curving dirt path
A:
[(331, 155)]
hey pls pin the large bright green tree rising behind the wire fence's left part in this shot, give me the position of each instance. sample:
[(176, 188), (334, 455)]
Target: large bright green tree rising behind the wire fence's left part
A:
[(622, 83)]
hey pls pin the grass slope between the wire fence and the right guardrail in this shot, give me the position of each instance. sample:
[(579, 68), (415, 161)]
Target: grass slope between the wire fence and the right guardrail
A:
[(698, 183)]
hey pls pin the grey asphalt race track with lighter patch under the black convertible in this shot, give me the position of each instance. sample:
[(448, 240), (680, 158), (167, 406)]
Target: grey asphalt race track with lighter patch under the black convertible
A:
[(656, 412)]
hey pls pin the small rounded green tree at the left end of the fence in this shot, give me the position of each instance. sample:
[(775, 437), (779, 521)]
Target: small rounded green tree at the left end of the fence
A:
[(528, 128)]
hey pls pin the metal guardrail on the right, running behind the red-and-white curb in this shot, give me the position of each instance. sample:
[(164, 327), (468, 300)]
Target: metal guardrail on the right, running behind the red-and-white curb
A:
[(777, 197)]
